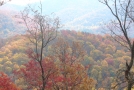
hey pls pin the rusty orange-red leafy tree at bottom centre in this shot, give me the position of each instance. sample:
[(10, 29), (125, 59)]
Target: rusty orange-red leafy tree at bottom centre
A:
[(70, 73)]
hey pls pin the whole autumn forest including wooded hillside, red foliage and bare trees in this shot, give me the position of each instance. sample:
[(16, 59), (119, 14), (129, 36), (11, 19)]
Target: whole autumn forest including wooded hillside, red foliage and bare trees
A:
[(48, 57)]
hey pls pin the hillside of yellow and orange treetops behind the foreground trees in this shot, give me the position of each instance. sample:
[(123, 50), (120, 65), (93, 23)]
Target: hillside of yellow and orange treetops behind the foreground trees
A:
[(102, 56)]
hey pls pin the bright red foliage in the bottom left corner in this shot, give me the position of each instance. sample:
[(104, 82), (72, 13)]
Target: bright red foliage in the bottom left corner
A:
[(5, 83)]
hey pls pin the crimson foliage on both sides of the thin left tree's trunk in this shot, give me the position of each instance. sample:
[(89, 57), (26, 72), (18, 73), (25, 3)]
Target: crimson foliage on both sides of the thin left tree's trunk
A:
[(32, 73)]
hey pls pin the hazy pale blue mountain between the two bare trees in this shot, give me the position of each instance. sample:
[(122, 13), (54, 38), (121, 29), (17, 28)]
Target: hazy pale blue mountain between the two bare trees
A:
[(84, 20)]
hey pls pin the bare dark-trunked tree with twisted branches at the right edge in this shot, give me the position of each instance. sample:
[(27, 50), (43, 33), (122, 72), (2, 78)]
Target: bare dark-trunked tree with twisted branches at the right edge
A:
[(120, 29)]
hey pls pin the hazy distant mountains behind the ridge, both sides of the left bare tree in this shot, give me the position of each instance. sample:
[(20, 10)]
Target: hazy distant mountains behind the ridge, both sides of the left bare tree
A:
[(74, 17)]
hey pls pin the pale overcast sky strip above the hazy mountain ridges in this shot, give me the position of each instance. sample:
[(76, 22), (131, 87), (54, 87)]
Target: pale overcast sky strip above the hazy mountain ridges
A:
[(56, 5)]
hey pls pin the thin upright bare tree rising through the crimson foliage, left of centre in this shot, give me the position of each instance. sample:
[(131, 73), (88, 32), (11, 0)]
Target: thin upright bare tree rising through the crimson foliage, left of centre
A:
[(41, 31)]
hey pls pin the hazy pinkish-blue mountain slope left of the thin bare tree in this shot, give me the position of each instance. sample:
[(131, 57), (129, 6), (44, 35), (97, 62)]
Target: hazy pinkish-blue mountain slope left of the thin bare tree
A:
[(9, 24)]
